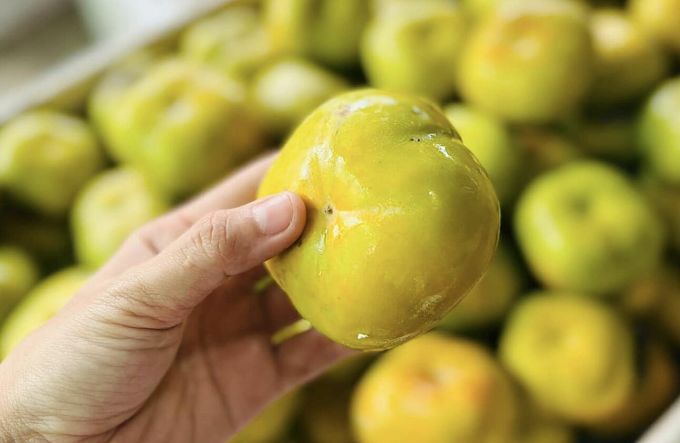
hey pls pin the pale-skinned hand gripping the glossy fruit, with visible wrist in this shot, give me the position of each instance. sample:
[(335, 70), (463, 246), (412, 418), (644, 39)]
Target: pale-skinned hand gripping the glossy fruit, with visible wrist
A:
[(170, 341)]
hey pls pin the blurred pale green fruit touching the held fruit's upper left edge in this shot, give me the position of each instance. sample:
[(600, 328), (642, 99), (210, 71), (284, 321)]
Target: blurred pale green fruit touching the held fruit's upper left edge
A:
[(285, 91)]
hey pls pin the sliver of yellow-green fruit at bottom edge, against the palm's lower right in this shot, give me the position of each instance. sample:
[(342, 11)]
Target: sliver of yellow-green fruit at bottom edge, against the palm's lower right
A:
[(272, 423)]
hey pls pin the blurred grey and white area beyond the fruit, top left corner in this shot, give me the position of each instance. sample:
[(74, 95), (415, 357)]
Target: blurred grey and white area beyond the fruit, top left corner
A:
[(38, 34)]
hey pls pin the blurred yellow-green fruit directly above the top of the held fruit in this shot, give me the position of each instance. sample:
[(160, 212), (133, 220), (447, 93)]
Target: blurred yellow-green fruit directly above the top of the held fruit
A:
[(415, 47)]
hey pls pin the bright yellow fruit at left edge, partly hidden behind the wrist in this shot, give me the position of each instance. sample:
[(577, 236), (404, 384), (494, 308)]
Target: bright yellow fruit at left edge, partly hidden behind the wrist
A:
[(40, 305)]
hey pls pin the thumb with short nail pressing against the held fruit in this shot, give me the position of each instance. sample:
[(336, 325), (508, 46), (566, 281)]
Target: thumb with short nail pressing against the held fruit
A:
[(225, 243)]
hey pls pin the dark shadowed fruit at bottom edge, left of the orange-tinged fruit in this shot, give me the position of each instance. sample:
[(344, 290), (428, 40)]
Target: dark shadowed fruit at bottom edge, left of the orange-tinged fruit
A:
[(325, 413)]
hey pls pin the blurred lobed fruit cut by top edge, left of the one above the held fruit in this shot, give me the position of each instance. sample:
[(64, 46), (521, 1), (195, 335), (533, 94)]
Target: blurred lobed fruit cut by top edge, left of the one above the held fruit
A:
[(325, 30)]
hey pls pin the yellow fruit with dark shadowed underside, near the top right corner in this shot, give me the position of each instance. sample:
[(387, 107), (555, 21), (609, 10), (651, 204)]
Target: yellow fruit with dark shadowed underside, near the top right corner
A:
[(627, 62)]
